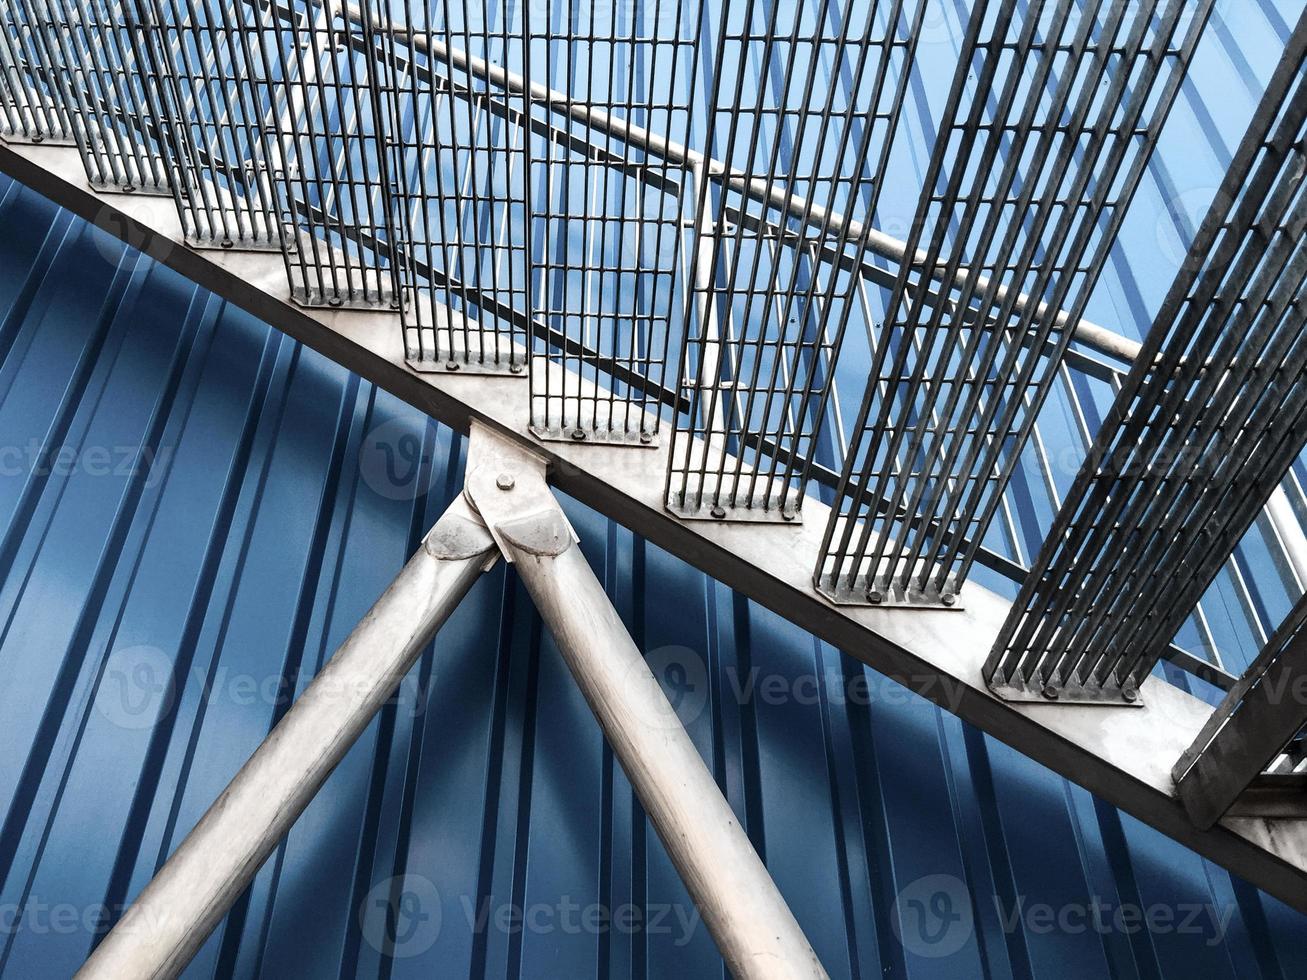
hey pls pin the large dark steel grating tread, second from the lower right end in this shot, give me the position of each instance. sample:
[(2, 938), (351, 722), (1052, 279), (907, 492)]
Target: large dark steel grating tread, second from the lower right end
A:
[(1210, 421)]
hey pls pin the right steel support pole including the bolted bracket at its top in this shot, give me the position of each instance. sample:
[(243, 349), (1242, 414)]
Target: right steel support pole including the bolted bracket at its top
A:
[(746, 913)]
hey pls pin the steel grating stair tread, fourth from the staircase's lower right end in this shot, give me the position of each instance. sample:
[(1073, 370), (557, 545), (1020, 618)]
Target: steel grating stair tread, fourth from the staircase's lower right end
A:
[(778, 255)]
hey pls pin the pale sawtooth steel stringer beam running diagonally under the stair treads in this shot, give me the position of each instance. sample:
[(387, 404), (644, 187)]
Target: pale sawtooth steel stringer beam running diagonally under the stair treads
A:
[(1122, 755)]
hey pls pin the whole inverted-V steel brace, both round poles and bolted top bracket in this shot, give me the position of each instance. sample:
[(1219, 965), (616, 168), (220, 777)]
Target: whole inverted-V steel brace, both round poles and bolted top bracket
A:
[(506, 509)]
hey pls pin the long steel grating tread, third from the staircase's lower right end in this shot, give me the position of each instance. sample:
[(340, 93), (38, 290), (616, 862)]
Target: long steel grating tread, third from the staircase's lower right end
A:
[(1054, 113)]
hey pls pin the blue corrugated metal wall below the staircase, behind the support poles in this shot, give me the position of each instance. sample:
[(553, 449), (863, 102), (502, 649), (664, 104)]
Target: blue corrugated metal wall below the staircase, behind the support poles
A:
[(194, 510)]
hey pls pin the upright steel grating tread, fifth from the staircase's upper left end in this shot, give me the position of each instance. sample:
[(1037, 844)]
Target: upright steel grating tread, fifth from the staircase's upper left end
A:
[(458, 178)]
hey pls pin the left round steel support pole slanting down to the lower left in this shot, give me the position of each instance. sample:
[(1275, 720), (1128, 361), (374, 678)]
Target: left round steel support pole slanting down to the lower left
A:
[(182, 905)]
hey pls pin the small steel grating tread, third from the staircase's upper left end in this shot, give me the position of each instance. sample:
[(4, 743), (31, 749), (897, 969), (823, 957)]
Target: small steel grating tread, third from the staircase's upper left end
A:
[(215, 110)]
